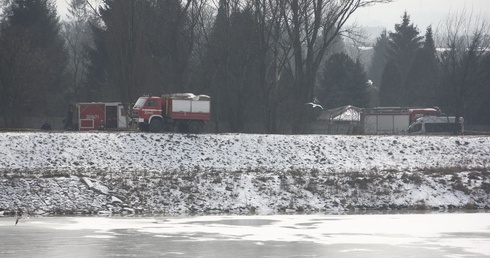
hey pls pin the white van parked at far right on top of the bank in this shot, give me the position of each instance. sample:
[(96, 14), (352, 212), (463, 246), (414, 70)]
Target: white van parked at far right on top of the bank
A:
[(436, 125)]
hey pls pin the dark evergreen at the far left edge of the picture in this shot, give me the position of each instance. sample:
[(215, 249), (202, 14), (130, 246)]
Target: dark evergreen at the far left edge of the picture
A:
[(32, 60)]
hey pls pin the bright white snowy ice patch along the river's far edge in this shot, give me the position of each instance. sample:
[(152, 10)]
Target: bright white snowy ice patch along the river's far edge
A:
[(468, 231)]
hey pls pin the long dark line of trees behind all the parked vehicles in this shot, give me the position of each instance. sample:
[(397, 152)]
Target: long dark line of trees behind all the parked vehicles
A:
[(259, 60)]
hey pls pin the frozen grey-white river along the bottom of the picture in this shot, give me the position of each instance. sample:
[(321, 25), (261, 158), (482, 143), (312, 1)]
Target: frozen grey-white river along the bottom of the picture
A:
[(389, 235)]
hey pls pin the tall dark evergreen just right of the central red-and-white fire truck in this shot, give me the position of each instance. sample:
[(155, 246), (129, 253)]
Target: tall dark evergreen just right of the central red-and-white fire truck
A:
[(234, 64)]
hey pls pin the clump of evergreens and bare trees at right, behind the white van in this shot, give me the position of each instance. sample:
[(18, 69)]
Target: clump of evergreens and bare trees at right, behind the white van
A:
[(408, 69)]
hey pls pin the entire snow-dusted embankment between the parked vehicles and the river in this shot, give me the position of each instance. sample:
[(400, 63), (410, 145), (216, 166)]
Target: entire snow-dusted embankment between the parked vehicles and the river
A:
[(239, 173)]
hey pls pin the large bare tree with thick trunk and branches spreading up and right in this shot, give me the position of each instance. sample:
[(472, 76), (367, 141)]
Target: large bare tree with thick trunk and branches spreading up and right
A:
[(312, 26)]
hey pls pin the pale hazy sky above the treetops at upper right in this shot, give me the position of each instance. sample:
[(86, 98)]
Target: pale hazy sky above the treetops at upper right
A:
[(422, 12)]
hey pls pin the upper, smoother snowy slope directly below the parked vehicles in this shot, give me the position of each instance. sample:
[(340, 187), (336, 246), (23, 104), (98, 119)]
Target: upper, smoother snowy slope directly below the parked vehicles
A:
[(237, 152)]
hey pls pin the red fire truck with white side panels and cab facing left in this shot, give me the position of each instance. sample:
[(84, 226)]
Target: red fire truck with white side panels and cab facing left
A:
[(186, 111)]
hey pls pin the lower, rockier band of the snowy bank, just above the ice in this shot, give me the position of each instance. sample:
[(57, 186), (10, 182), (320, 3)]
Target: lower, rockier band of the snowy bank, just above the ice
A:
[(254, 191)]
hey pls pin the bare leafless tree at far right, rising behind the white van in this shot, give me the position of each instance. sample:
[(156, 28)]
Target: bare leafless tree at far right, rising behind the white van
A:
[(465, 39)]
